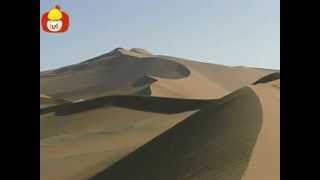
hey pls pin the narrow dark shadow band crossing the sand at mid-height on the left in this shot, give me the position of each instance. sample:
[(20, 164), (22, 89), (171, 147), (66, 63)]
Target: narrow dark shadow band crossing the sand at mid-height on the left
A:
[(141, 103)]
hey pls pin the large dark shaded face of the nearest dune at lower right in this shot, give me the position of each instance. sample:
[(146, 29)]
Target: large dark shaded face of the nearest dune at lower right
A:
[(214, 143)]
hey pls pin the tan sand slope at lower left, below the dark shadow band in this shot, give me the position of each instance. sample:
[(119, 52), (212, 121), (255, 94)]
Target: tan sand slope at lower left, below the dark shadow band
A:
[(80, 145)]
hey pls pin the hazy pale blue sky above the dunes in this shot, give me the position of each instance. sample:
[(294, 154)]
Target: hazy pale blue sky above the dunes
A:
[(229, 32)]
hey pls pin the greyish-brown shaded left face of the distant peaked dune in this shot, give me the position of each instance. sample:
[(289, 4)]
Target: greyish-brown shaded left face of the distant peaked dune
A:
[(111, 75)]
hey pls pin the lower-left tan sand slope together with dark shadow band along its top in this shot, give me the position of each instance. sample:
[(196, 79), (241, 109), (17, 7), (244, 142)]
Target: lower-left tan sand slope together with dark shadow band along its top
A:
[(77, 141)]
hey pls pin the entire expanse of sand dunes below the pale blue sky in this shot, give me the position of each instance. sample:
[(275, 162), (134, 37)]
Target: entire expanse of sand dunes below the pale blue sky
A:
[(131, 114)]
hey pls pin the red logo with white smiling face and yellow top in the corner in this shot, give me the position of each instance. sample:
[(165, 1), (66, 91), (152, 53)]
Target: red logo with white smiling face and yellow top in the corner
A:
[(55, 21)]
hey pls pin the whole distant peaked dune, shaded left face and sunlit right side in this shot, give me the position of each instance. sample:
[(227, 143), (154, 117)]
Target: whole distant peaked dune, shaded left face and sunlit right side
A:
[(117, 72)]
